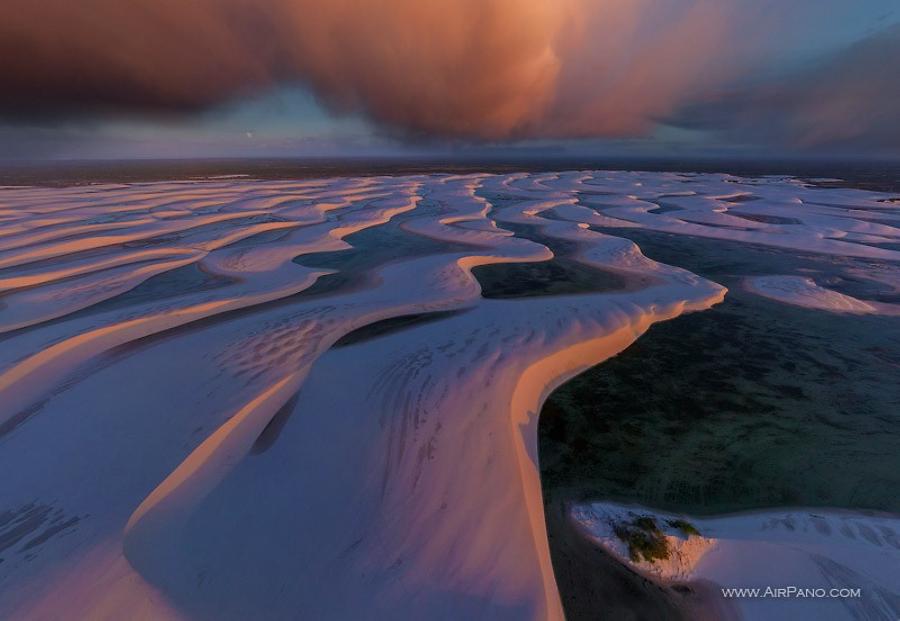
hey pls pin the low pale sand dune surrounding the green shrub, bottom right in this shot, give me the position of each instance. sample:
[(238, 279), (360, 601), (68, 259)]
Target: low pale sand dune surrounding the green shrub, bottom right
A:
[(814, 549)]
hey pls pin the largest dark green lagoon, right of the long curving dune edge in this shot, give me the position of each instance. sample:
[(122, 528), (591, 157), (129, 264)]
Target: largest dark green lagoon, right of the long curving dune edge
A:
[(751, 404)]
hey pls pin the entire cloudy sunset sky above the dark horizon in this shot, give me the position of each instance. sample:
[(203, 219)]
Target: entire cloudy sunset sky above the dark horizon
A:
[(305, 78)]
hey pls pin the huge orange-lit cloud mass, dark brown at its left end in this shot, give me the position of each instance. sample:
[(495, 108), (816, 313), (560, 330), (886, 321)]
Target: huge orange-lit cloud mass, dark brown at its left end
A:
[(472, 69)]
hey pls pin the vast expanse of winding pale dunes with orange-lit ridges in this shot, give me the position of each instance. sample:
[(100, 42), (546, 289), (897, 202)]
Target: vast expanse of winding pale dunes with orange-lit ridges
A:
[(188, 444)]
